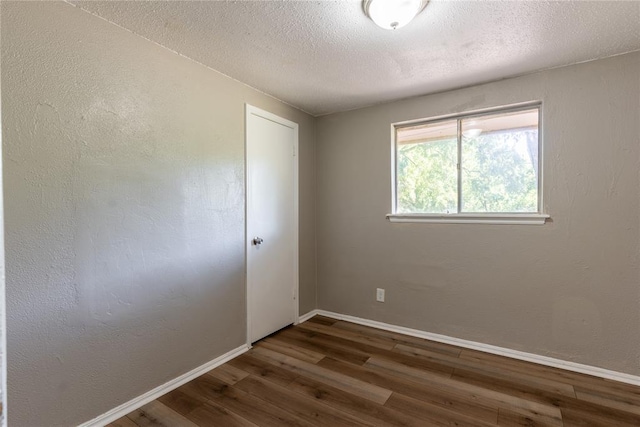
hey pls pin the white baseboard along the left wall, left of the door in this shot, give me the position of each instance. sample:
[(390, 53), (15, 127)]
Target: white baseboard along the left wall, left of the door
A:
[(142, 400)]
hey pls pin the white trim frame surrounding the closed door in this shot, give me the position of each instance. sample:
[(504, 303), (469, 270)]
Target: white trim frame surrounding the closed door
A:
[(251, 110)]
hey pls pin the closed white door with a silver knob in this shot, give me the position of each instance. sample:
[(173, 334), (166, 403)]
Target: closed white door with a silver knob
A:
[(272, 222)]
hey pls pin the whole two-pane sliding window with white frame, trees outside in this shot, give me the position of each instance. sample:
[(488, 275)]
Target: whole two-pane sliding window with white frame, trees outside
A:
[(475, 167)]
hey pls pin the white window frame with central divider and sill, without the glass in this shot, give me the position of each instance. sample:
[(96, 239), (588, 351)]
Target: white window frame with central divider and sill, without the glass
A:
[(535, 218)]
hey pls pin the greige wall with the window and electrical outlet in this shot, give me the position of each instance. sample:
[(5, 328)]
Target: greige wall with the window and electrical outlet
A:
[(569, 289)]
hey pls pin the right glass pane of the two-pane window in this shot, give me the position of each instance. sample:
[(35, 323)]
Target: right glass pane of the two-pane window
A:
[(500, 162)]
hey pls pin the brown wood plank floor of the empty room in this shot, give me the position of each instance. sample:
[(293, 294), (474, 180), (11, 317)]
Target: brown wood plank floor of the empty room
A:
[(333, 373)]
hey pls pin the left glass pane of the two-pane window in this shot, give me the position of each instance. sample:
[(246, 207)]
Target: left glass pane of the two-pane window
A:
[(427, 177)]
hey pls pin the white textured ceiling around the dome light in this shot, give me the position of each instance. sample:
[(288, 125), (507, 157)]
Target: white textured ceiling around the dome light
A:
[(327, 56)]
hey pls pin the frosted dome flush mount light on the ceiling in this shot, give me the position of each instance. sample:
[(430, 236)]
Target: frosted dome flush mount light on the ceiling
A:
[(392, 14)]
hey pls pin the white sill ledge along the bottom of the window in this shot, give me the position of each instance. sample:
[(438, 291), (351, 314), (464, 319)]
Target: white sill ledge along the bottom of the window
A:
[(499, 219)]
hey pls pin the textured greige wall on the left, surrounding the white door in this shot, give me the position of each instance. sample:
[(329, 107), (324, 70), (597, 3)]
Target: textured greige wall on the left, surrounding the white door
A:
[(124, 209)]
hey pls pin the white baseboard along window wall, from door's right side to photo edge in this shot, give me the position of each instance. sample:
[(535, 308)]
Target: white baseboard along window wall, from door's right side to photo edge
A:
[(487, 348)]
